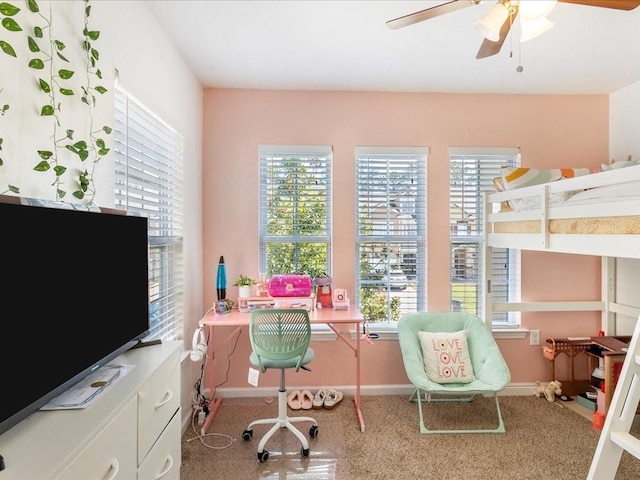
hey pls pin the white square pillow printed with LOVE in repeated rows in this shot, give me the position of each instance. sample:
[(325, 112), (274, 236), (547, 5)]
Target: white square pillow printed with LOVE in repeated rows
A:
[(446, 357)]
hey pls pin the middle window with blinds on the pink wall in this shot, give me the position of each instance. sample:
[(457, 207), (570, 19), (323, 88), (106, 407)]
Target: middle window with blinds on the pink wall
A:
[(390, 233)]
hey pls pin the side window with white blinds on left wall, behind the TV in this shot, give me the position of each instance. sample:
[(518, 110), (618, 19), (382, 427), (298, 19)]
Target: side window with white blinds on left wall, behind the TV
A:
[(148, 182)]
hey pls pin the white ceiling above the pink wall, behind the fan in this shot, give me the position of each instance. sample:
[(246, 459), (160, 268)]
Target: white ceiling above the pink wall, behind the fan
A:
[(345, 45)]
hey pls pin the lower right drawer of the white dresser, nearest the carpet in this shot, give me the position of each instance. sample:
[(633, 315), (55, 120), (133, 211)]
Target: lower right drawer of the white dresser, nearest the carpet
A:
[(164, 459)]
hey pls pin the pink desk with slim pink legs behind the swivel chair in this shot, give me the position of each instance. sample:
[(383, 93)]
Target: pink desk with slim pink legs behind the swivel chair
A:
[(326, 316)]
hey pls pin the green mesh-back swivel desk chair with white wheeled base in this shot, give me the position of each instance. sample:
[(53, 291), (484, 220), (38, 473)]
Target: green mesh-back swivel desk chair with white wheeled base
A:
[(280, 339)]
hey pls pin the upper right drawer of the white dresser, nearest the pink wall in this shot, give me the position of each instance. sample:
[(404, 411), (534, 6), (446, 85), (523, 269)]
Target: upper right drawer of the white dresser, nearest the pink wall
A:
[(158, 401)]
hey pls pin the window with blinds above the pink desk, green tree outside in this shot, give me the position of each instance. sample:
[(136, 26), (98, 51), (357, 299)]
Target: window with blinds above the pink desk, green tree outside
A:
[(295, 209)]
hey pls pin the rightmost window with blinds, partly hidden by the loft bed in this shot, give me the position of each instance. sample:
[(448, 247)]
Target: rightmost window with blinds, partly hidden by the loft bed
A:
[(472, 171)]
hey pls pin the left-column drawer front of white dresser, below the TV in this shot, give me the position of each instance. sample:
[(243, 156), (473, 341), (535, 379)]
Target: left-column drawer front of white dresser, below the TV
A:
[(110, 454)]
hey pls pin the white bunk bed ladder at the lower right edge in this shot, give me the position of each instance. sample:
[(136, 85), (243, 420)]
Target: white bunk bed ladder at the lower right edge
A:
[(615, 437)]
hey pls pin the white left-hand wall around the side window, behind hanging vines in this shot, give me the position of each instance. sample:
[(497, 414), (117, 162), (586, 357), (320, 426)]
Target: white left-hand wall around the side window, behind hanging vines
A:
[(152, 71)]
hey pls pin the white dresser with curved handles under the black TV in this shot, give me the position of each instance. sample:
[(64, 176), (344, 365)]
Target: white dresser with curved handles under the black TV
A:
[(132, 431)]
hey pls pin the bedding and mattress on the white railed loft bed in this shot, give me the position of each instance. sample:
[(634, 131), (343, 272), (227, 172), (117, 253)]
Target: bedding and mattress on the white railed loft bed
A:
[(617, 197)]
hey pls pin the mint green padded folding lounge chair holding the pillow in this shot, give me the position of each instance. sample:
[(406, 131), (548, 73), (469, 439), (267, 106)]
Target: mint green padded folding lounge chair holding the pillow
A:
[(489, 367)]
